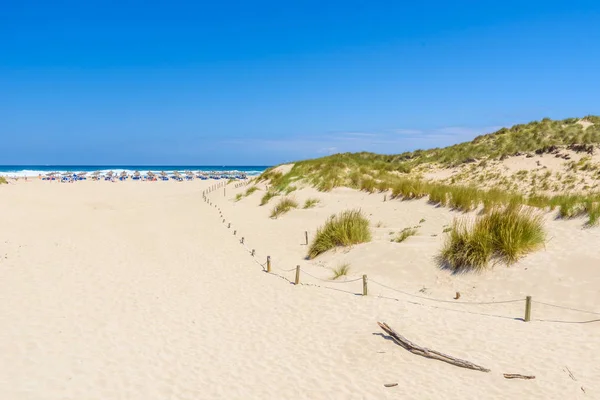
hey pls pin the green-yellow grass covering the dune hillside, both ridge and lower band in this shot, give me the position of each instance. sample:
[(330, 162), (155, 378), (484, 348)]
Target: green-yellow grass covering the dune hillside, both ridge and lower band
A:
[(401, 173)]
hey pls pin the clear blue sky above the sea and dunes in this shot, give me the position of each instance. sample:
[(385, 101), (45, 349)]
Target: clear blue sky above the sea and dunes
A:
[(264, 82)]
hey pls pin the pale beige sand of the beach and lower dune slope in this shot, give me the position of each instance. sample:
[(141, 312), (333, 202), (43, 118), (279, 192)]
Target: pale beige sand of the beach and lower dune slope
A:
[(137, 290)]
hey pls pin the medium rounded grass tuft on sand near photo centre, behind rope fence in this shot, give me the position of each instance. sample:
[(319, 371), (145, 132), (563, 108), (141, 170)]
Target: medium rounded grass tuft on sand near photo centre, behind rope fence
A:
[(347, 228)]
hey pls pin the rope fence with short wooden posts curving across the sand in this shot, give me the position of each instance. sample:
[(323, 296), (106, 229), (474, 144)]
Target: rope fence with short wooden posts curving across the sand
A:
[(299, 272)]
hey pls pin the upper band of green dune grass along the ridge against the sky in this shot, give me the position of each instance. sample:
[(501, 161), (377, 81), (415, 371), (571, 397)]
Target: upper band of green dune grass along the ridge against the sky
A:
[(365, 170)]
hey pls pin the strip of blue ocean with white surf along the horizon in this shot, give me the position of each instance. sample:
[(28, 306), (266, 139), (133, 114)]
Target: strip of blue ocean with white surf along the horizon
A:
[(35, 170)]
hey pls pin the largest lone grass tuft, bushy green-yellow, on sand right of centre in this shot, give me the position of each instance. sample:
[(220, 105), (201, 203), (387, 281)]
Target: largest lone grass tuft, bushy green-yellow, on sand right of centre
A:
[(504, 234)]
